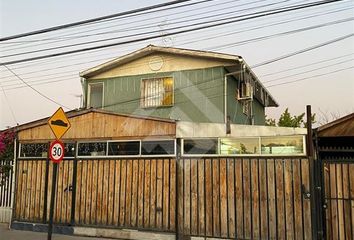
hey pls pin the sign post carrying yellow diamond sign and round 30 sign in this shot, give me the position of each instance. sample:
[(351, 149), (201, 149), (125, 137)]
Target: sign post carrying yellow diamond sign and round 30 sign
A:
[(59, 124)]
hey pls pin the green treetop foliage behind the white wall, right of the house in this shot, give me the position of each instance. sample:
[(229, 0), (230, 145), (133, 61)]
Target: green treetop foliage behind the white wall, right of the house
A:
[(287, 120)]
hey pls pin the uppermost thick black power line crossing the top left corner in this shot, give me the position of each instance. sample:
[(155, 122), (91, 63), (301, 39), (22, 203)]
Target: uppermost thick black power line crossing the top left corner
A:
[(79, 23)]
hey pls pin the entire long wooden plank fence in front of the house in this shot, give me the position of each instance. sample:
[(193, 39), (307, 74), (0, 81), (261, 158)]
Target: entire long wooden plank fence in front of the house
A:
[(245, 198)]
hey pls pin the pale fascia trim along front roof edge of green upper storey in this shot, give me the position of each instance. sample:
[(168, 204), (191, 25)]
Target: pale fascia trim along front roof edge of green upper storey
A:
[(154, 49)]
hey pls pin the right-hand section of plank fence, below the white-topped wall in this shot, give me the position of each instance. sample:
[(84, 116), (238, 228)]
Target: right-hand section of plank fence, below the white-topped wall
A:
[(244, 198)]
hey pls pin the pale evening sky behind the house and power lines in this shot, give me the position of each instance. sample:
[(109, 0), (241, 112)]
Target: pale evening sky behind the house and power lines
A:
[(322, 78)]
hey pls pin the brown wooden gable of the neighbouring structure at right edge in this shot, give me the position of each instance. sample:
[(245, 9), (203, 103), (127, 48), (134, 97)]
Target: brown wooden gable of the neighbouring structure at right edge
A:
[(341, 127)]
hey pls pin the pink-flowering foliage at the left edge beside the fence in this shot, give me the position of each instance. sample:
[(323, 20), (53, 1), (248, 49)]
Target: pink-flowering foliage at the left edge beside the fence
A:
[(6, 154)]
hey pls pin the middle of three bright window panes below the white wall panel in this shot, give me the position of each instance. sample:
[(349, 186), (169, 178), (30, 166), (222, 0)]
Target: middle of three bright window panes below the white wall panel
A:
[(239, 146)]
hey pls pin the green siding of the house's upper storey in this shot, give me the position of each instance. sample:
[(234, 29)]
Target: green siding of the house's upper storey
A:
[(198, 97)]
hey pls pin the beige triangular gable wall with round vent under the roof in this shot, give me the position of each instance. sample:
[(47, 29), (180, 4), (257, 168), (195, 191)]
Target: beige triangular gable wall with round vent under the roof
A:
[(170, 63)]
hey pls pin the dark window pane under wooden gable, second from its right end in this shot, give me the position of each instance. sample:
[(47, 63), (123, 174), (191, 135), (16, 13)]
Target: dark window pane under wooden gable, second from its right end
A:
[(124, 148)]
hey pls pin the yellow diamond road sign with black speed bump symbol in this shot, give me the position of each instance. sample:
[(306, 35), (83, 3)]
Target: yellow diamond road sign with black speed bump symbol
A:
[(59, 123)]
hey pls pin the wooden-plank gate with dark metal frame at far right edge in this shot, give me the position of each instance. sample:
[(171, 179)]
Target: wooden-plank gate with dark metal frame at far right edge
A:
[(338, 182)]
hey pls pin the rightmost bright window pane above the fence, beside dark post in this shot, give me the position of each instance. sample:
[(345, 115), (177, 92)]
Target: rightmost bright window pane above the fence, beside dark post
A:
[(283, 145)]
